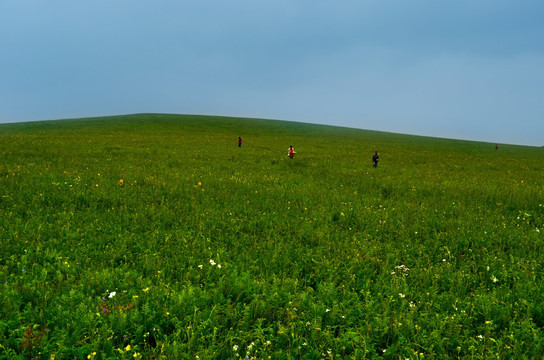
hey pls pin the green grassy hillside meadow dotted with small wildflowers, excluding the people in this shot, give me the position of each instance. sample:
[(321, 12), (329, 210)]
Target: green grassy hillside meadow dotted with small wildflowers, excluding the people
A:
[(157, 237)]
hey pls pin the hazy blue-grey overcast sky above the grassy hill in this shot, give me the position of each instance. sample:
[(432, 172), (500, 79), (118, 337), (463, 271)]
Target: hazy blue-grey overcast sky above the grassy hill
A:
[(464, 69)]
